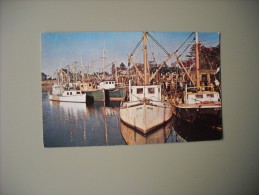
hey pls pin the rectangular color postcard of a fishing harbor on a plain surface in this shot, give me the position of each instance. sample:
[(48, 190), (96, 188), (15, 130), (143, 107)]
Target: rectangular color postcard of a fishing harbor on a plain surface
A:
[(130, 88)]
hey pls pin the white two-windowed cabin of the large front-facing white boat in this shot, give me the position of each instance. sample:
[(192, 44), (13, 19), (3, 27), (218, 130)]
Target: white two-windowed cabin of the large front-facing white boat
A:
[(152, 92)]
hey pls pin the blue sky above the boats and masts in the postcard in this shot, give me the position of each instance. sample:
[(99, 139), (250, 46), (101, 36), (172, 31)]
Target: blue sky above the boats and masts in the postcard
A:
[(61, 48)]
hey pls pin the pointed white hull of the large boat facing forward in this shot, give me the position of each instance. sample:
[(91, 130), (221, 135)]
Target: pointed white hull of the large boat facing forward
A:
[(145, 116)]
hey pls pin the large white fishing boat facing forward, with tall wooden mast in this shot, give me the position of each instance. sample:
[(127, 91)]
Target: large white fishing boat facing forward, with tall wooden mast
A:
[(143, 108)]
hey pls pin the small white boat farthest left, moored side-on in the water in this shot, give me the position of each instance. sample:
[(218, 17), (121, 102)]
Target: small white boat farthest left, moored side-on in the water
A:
[(64, 94)]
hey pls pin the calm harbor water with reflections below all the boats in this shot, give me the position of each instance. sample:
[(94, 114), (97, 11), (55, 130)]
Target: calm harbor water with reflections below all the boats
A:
[(77, 124)]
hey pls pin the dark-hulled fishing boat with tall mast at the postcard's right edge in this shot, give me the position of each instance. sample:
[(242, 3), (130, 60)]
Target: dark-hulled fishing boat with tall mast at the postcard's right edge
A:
[(198, 100)]
